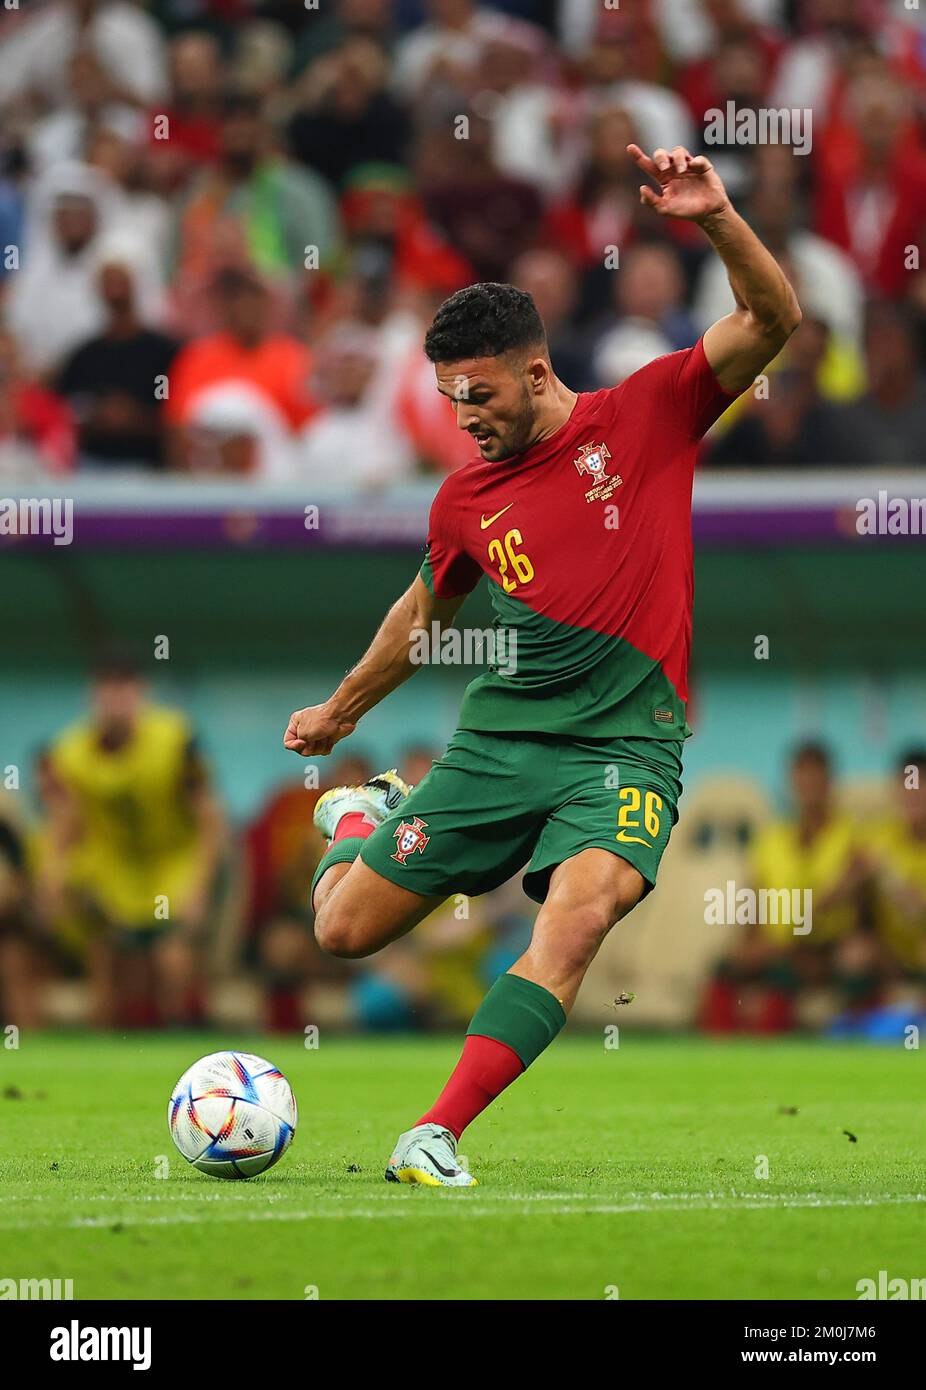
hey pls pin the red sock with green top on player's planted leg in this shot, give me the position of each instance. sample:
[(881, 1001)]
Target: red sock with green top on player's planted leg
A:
[(512, 1027)]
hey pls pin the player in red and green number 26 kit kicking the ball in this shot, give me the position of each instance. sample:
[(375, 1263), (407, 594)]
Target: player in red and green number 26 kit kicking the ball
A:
[(568, 758)]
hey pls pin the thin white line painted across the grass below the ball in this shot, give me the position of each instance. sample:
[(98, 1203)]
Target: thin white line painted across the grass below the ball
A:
[(473, 1206)]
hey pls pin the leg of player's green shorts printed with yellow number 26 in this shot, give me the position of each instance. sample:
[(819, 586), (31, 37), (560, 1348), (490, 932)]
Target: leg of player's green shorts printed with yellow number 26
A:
[(619, 797)]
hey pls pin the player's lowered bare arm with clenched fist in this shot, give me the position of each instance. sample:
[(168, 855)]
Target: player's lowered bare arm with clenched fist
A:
[(384, 667)]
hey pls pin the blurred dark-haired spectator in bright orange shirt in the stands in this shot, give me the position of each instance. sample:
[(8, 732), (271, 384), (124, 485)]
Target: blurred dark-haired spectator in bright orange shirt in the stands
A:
[(240, 398)]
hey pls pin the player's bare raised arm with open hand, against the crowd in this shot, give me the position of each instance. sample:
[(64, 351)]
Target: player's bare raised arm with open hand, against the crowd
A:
[(742, 344)]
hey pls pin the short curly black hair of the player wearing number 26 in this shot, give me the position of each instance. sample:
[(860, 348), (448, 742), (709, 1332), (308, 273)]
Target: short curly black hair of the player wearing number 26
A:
[(485, 322)]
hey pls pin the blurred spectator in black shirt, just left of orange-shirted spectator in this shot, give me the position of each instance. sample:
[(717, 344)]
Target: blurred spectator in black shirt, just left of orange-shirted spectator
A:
[(116, 383)]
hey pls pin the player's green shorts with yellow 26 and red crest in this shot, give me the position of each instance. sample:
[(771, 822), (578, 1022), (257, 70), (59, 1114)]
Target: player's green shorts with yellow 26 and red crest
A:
[(497, 803)]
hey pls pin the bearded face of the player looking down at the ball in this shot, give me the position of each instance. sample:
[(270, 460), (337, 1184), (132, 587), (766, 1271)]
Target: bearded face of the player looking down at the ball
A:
[(496, 401)]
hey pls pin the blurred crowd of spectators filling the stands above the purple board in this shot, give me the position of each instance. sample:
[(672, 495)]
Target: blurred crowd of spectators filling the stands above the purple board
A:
[(225, 224)]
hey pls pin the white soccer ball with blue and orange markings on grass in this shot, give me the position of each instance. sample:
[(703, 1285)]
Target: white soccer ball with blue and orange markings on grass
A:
[(233, 1115)]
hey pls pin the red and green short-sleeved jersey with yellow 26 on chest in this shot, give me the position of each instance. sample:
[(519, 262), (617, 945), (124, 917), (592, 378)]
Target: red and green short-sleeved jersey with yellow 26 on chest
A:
[(586, 543)]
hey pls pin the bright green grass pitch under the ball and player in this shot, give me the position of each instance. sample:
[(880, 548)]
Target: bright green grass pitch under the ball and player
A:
[(626, 1172)]
